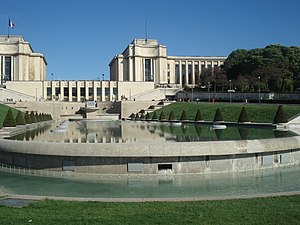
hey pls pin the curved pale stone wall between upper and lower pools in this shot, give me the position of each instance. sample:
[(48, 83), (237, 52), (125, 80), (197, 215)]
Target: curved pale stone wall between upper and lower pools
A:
[(147, 158)]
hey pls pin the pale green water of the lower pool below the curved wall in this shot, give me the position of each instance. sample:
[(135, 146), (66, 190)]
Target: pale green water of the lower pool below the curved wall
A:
[(187, 186)]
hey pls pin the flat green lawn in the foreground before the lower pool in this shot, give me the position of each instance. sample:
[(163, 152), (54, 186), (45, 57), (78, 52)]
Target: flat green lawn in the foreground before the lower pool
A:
[(273, 210)]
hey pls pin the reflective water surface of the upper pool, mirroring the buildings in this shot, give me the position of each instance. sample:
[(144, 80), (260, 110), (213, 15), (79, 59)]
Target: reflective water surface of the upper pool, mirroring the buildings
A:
[(143, 132)]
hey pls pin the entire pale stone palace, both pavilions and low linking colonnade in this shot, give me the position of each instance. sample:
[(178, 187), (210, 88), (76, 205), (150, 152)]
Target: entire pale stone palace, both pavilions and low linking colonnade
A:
[(143, 71)]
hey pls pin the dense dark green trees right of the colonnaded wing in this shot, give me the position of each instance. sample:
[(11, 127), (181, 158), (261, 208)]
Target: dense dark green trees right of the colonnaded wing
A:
[(274, 68)]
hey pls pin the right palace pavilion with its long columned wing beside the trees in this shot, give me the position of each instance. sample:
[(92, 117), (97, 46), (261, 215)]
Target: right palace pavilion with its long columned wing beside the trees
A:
[(146, 60)]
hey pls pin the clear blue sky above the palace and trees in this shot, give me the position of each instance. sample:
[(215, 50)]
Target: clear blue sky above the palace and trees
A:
[(80, 37)]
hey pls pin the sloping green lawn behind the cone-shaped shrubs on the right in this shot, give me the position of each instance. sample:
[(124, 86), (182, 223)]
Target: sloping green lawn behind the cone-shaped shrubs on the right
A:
[(263, 113)]
